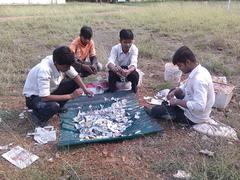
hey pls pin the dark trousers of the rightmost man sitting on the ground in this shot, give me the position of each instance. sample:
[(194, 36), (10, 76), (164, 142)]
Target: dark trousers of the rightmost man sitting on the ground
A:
[(174, 113)]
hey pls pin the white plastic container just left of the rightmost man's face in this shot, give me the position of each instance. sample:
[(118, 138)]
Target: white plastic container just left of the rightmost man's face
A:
[(172, 74)]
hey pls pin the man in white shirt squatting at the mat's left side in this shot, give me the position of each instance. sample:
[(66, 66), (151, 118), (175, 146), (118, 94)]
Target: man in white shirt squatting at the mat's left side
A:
[(45, 90)]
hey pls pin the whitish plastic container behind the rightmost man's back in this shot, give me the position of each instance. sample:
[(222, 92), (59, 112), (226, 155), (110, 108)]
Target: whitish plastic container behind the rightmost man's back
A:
[(223, 94)]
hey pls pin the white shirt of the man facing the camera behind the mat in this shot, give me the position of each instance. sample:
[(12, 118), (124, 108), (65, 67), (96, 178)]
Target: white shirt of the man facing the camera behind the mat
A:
[(118, 57)]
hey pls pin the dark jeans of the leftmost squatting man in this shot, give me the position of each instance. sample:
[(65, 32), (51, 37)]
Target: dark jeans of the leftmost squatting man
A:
[(44, 110)]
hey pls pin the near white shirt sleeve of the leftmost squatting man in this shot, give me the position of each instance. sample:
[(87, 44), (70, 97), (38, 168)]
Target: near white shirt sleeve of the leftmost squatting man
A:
[(43, 80)]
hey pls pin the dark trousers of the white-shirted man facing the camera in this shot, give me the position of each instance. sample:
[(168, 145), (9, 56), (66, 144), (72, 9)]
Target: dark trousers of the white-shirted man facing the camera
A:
[(133, 77)]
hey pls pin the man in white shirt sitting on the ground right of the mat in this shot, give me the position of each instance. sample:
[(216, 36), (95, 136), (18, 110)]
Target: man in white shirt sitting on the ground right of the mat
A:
[(192, 102)]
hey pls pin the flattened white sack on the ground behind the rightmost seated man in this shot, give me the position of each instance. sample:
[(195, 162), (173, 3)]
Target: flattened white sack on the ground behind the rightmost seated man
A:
[(214, 128)]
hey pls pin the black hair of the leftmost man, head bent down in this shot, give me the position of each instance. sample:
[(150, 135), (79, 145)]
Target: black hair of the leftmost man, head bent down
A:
[(63, 56)]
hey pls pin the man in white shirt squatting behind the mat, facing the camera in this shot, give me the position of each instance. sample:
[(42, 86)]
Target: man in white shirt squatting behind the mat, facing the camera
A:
[(122, 62)]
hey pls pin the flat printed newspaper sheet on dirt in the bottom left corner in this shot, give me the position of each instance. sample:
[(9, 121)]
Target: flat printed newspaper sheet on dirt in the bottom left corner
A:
[(20, 157)]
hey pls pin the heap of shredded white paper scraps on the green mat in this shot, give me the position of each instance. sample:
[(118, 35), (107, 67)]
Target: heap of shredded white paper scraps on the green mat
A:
[(103, 123)]
